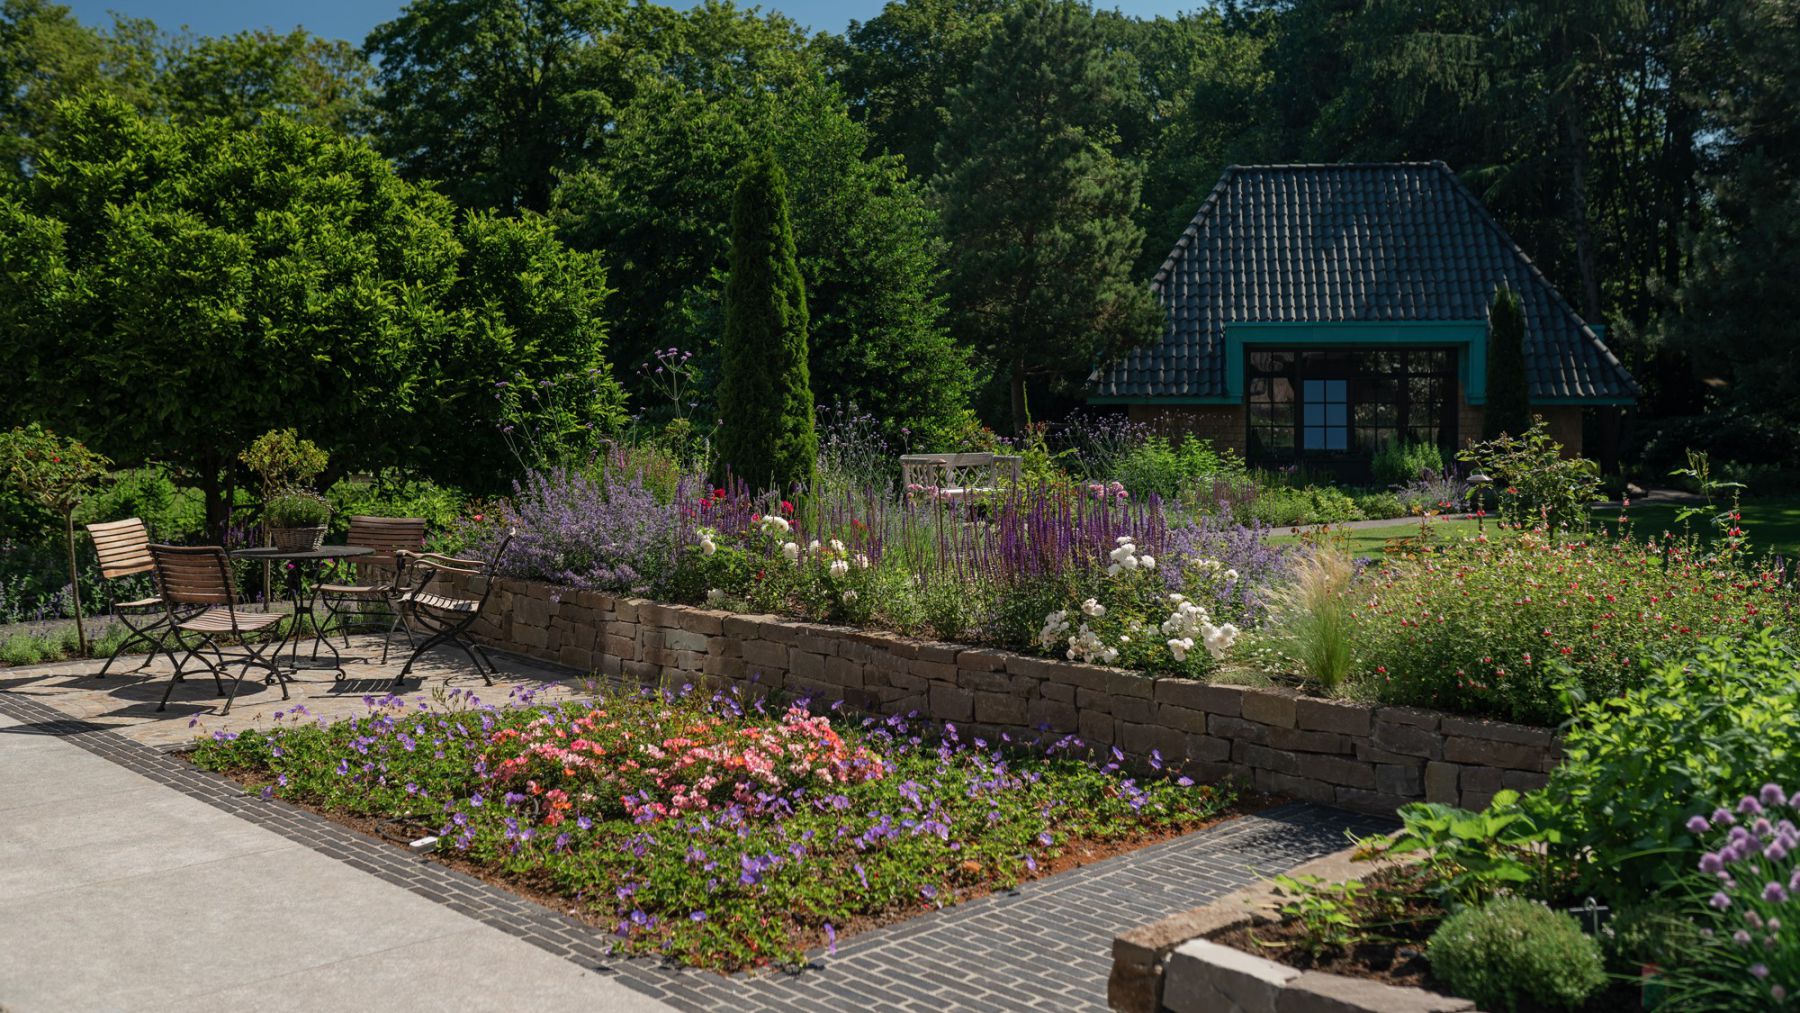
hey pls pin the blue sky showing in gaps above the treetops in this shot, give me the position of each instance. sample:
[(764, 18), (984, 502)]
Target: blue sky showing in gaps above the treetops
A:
[(354, 19)]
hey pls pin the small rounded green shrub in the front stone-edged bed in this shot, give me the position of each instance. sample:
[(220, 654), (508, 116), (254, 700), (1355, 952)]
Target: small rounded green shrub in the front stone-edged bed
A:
[(1516, 951)]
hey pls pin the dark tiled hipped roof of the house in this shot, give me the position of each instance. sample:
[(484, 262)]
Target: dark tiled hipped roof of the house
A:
[(1354, 242)]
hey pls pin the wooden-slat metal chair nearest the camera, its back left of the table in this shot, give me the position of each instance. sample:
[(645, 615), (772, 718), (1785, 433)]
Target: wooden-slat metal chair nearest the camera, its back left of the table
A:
[(202, 598)]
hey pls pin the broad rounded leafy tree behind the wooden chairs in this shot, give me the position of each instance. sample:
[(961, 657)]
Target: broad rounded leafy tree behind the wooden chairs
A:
[(175, 291)]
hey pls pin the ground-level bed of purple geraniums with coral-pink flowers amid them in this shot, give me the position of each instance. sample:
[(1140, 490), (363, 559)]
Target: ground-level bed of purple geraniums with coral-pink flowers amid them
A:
[(715, 832)]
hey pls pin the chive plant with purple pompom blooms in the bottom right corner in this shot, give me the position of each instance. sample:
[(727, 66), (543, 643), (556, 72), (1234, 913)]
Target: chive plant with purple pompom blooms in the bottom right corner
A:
[(1749, 884)]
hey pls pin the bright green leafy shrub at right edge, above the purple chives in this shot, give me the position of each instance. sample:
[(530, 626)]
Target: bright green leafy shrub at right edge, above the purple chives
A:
[(1705, 726)]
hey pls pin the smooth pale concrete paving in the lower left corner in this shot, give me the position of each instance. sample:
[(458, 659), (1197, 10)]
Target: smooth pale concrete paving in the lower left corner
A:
[(233, 917)]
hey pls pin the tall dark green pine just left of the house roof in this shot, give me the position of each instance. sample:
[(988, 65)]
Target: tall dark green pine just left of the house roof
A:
[(1038, 208)]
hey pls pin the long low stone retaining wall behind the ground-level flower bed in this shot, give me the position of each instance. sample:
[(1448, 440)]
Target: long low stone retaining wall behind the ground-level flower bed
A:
[(1362, 757)]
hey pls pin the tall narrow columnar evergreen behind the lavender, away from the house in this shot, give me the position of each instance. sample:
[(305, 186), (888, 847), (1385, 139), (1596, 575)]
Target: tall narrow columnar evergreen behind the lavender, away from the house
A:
[(766, 433)]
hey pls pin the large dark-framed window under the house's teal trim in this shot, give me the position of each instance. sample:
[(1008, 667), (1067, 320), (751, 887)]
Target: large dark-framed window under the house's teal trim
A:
[(1345, 404)]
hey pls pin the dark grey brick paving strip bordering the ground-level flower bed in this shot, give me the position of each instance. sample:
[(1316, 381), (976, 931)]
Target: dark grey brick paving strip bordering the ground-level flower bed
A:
[(1041, 947)]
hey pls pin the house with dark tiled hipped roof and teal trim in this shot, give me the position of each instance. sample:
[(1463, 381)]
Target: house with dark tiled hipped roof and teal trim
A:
[(1318, 312)]
